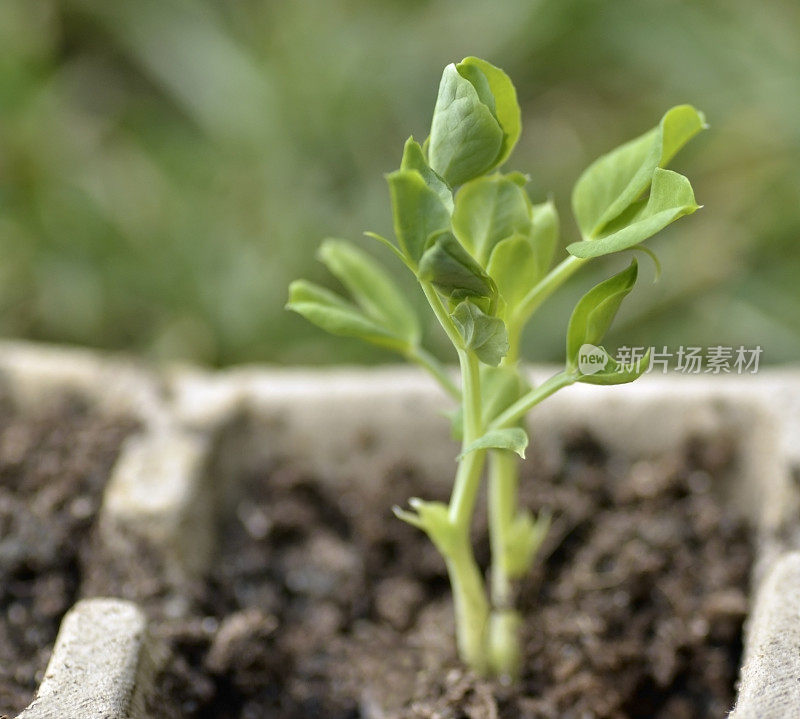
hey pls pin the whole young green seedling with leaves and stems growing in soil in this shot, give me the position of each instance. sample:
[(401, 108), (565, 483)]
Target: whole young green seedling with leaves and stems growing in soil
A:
[(482, 252)]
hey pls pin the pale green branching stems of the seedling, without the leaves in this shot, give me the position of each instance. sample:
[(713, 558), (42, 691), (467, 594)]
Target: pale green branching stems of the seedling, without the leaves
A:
[(484, 642)]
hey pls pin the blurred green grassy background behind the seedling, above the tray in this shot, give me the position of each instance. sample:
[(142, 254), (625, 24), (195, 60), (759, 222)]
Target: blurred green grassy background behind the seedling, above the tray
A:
[(168, 166)]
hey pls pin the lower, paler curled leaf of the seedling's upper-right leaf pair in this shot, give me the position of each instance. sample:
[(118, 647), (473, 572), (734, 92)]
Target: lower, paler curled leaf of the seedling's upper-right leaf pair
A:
[(671, 197)]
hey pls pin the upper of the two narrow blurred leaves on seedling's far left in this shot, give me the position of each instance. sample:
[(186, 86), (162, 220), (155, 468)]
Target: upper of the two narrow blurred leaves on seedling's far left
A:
[(372, 289)]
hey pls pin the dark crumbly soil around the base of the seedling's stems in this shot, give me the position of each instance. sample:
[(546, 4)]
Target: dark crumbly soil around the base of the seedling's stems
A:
[(323, 605)]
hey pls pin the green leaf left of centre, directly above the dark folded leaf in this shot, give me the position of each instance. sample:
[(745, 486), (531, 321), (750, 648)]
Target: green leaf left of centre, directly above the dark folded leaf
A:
[(417, 210)]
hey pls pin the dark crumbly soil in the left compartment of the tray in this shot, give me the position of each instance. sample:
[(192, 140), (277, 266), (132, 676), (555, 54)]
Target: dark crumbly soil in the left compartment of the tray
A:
[(53, 468)]
